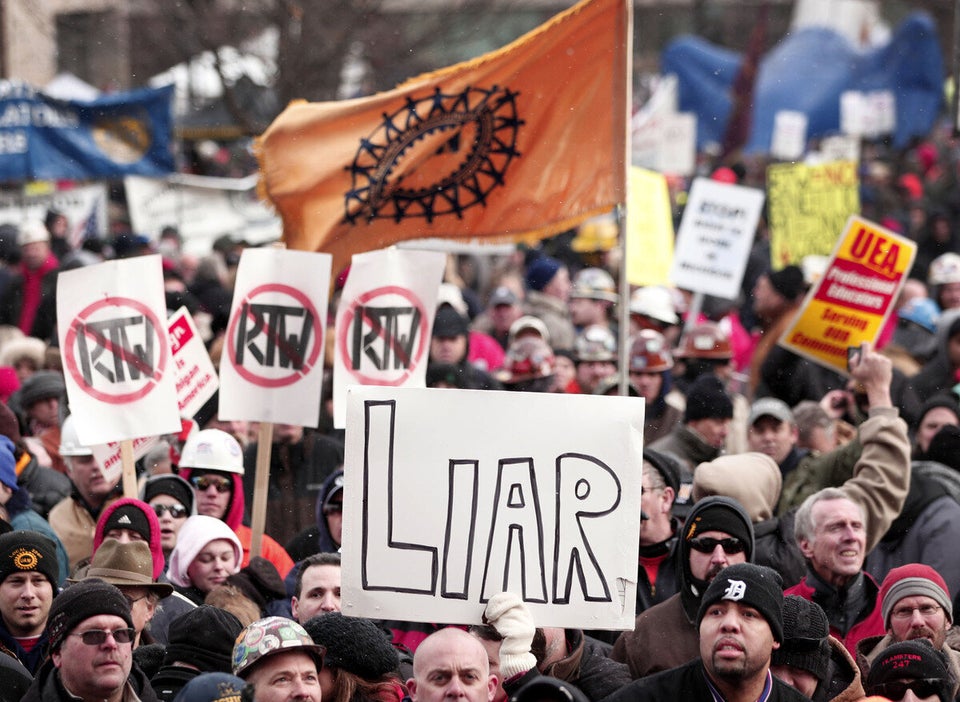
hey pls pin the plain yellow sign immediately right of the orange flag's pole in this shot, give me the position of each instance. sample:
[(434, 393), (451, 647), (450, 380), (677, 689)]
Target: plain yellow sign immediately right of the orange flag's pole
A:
[(649, 232)]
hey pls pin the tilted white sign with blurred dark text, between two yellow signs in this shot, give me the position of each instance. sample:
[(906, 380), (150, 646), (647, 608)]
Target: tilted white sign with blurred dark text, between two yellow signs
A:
[(715, 237)]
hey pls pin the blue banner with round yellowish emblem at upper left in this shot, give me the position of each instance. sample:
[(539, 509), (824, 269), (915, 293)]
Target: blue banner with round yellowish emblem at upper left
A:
[(120, 134)]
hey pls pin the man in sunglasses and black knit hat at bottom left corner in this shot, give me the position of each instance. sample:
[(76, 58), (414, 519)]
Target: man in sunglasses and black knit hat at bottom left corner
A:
[(91, 649)]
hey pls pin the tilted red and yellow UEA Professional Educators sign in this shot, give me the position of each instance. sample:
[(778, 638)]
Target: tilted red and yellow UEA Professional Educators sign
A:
[(851, 302)]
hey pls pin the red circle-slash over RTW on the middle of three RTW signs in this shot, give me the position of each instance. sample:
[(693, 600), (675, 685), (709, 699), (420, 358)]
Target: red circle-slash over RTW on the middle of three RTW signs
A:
[(276, 331)]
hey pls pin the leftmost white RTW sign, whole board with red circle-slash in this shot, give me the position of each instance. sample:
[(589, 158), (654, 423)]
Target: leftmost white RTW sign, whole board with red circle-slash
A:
[(116, 351)]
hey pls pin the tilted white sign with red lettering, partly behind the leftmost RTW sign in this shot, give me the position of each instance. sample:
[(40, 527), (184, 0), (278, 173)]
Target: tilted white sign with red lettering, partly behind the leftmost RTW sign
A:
[(196, 377)]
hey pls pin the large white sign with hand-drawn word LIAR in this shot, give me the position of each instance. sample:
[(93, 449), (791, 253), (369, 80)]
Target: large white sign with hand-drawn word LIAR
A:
[(452, 496)]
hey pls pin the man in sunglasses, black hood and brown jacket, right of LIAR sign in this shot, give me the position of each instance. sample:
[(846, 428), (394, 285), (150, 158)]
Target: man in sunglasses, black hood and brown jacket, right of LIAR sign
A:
[(717, 534)]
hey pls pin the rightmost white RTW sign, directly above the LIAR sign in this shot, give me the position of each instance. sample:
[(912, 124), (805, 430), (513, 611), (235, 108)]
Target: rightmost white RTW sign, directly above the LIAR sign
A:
[(384, 322)]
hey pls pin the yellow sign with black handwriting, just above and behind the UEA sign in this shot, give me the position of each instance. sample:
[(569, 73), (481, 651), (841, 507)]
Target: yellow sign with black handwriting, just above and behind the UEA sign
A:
[(808, 206)]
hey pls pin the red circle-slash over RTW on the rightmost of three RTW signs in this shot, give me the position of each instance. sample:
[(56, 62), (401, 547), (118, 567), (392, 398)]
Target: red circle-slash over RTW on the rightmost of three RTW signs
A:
[(382, 336)]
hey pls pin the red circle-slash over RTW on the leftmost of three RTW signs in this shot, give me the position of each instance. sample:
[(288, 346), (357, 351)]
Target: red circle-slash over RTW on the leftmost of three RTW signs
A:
[(116, 350)]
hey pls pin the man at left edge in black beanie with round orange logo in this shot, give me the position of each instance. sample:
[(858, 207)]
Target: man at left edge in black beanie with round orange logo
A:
[(29, 574)]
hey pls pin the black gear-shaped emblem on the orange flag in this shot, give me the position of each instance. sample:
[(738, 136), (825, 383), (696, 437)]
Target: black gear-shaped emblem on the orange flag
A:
[(478, 129)]
